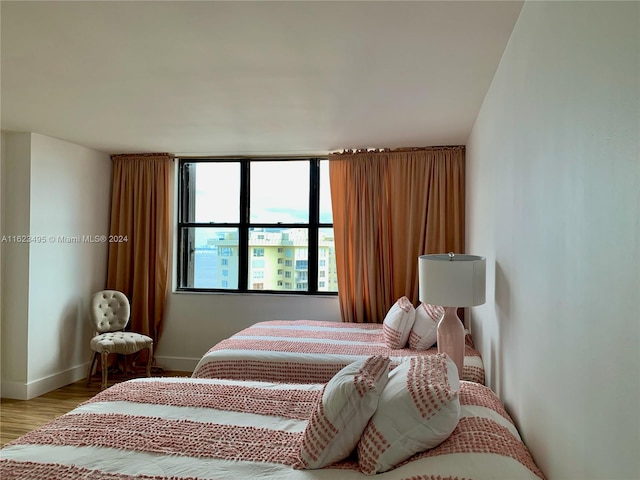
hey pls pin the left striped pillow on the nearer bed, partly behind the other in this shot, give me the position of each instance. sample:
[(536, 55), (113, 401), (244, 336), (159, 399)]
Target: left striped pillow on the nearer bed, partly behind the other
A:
[(348, 401)]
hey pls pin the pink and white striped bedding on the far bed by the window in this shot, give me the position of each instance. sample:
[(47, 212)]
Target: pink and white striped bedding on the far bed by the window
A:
[(303, 351)]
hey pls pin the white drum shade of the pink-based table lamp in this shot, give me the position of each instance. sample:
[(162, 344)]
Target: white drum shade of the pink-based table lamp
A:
[(452, 280)]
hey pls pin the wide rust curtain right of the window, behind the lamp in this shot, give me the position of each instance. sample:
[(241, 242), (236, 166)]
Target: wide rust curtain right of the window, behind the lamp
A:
[(389, 207)]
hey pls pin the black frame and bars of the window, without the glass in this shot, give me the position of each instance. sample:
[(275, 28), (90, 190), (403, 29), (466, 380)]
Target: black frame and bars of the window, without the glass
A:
[(244, 226)]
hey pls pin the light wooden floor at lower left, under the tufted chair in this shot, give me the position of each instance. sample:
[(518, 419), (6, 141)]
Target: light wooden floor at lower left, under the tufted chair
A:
[(18, 417)]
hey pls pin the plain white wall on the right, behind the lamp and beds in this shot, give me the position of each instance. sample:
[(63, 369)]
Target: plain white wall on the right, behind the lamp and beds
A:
[(553, 202)]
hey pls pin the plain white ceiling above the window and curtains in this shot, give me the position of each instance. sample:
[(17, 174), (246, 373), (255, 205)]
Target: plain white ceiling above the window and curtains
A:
[(249, 78)]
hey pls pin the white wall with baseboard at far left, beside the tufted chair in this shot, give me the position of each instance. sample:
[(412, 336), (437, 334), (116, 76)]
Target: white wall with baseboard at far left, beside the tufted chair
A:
[(63, 191)]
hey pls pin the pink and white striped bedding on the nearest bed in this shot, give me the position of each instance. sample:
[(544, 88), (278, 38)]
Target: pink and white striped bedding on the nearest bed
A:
[(206, 429)]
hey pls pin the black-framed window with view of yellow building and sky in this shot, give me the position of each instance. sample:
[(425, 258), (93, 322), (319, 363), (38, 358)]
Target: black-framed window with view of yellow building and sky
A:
[(256, 213)]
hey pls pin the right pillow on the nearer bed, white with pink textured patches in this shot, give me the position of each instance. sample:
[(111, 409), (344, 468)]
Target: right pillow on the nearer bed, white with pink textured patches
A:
[(418, 409)]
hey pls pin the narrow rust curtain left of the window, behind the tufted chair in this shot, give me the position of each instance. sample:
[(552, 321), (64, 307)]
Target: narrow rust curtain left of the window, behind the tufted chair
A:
[(141, 212)]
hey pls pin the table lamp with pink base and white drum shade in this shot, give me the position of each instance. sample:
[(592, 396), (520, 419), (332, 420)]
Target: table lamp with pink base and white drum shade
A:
[(451, 281)]
